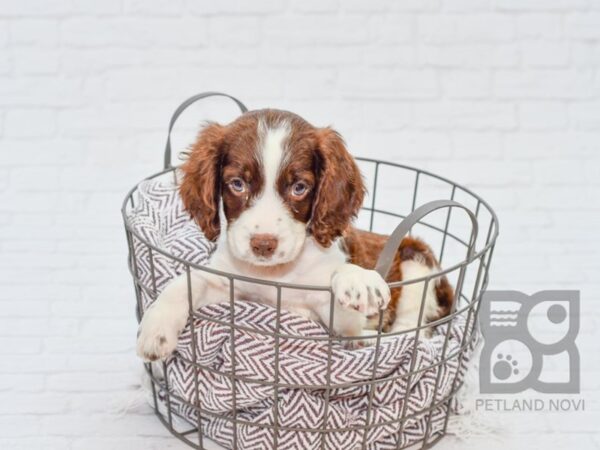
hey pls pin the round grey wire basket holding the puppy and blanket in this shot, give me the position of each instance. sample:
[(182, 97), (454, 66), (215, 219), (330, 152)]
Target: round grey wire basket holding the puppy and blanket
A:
[(424, 204)]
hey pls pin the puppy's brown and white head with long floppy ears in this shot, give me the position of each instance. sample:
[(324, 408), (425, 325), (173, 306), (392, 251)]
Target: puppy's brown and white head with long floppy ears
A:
[(279, 179)]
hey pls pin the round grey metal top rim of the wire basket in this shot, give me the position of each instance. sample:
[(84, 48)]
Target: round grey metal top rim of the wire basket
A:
[(491, 239)]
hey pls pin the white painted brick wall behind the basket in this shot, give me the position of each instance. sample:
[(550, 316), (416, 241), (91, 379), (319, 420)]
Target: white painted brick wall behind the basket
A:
[(503, 95)]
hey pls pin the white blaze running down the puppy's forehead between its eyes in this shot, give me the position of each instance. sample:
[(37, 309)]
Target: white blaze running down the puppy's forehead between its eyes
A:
[(272, 144)]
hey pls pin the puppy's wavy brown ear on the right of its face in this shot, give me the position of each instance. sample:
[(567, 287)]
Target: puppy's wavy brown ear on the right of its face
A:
[(340, 190)]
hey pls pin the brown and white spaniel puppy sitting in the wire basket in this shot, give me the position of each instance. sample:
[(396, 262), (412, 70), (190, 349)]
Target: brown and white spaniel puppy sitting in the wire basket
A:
[(278, 195)]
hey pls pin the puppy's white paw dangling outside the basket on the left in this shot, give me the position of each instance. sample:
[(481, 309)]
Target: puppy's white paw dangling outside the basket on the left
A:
[(157, 337)]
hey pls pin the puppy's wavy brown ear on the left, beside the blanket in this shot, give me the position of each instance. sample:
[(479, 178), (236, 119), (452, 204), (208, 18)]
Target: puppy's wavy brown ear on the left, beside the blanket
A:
[(200, 187)]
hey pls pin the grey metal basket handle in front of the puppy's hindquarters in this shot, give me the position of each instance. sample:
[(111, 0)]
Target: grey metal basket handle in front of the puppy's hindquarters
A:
[(386, 258)]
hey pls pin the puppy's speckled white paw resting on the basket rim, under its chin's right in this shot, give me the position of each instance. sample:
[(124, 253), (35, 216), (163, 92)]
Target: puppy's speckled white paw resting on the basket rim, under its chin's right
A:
[(360, 289)]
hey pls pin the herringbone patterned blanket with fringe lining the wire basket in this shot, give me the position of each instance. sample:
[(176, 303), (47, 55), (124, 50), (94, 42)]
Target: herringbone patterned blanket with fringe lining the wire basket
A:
[(301, 406)]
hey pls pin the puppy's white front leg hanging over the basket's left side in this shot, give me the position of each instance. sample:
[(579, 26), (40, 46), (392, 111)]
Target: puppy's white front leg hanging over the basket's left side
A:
[(167, 316)]
